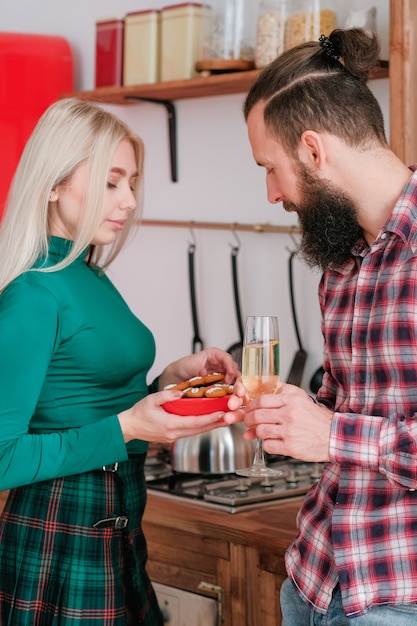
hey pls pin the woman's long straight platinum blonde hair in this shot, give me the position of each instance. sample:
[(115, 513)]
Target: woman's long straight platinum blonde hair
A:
[(70, 132)]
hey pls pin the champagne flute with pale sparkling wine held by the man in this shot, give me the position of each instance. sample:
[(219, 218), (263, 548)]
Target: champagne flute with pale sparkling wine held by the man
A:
[(260, 374)]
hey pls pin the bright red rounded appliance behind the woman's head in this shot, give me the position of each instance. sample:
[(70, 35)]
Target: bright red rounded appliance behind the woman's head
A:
[(35, 70)]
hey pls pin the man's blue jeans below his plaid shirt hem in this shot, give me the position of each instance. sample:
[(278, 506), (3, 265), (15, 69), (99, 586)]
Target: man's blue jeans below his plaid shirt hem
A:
[(295, 612)]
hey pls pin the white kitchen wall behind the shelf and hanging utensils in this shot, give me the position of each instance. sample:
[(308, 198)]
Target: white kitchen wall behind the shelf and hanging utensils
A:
[(218, 181)]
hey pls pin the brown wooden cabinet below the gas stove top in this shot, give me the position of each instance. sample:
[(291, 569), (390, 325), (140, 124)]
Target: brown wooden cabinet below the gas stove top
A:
[(239, 557)]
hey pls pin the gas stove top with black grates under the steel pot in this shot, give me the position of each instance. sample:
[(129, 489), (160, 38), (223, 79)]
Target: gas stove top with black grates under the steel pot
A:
[(233, 493)]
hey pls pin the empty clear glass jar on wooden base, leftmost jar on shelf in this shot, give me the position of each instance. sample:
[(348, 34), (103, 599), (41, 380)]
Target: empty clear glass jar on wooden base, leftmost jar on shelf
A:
[(229, 41)]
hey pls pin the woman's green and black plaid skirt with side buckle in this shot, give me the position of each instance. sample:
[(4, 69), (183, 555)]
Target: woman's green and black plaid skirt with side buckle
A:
[(58, 569)]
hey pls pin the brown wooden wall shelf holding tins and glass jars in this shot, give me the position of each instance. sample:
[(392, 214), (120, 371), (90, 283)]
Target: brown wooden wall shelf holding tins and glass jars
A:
[(215, 85)]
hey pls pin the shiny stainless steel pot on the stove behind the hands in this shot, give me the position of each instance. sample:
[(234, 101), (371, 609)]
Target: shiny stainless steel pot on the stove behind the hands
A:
[(219, 451)]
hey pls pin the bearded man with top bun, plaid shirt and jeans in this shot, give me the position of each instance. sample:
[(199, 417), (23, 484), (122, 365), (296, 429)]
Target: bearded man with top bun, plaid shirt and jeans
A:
[(318, 131)]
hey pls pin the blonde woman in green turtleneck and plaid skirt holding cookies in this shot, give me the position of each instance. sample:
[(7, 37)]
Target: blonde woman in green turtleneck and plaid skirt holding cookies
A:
[(76, 411)]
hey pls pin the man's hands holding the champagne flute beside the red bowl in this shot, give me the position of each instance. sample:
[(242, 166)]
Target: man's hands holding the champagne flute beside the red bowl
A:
[(289, 422)]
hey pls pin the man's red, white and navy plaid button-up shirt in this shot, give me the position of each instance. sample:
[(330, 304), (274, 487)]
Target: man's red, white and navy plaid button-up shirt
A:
[(358, 525)]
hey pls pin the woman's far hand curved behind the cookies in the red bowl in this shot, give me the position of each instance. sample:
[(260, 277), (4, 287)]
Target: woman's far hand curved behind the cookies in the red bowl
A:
[(201, 363)]
